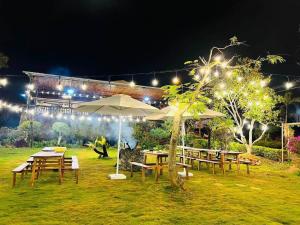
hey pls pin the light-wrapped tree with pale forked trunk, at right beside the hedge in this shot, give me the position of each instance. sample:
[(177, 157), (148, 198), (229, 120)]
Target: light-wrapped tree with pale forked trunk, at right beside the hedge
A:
[(245, 96)]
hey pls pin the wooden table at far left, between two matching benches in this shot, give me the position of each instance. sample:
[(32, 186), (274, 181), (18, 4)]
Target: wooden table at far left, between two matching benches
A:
[(40, 160)]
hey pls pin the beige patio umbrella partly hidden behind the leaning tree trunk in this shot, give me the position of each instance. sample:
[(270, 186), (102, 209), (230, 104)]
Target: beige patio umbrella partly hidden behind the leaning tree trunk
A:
[(169, 112)]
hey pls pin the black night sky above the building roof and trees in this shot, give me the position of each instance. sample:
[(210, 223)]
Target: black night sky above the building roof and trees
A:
[(94, 38)]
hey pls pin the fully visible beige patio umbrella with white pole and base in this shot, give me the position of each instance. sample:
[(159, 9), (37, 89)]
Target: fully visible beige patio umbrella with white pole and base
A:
[(117, 105)]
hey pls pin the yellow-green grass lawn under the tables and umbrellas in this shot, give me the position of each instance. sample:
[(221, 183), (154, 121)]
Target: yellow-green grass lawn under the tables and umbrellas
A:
[(270, 195)]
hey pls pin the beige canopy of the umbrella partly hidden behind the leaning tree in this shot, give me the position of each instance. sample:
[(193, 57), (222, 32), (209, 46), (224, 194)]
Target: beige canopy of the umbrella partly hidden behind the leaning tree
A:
[(169, 112)]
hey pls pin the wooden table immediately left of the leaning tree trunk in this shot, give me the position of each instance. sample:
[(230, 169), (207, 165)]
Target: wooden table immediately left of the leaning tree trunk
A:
[(159, 162)]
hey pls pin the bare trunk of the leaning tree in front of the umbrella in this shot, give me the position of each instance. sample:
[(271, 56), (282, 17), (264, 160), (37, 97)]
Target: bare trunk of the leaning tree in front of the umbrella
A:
[(172, 151)]
